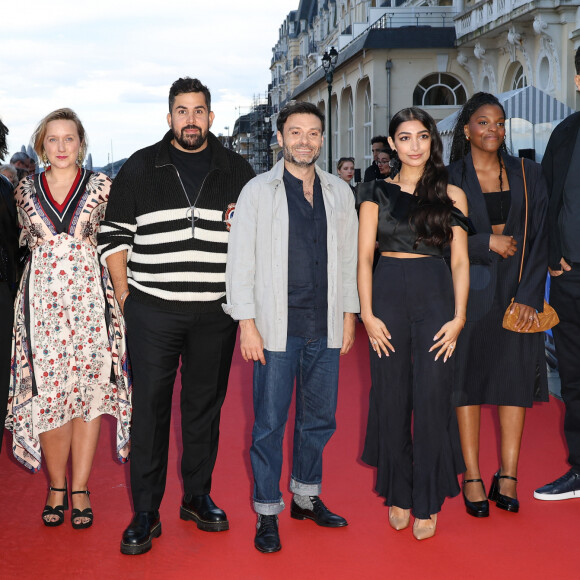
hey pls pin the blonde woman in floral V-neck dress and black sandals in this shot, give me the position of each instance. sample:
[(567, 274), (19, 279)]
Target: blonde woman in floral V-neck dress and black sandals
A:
[(69, 363)]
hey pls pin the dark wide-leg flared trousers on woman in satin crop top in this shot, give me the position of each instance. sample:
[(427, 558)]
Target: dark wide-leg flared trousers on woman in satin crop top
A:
[(412, 436)]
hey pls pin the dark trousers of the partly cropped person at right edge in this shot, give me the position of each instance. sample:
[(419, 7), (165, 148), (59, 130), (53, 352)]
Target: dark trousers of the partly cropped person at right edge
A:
[(565, 298)]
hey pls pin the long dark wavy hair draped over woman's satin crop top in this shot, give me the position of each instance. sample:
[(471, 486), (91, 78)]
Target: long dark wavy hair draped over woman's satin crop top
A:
[(431, 219)]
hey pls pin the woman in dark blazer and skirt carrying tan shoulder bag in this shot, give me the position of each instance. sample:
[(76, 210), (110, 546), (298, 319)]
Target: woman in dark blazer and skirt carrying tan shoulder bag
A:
[(495, 366)]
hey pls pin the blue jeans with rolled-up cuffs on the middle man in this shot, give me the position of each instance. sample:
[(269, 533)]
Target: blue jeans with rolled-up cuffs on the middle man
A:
[(315, 368)]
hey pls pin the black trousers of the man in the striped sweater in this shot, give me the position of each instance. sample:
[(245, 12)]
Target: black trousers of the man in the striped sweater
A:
[(157, 340)]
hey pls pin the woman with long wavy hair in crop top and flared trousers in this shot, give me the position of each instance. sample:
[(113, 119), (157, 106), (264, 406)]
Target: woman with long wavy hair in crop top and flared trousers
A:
[(413, 309)]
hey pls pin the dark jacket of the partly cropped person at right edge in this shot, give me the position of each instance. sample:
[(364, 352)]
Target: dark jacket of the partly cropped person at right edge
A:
[(556, 162)]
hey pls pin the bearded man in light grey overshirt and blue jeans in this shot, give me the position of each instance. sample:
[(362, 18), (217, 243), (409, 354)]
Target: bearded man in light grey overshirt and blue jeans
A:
[(291, 282)]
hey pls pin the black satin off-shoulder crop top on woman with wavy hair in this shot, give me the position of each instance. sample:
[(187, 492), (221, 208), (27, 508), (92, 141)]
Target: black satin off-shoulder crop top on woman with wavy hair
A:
[(394, 230)]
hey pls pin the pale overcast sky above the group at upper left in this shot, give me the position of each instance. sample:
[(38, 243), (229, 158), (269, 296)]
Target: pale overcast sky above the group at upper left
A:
[(114, 61)]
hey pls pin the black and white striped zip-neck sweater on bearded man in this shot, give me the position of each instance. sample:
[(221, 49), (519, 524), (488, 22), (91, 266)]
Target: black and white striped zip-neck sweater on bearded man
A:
[(146, 215)]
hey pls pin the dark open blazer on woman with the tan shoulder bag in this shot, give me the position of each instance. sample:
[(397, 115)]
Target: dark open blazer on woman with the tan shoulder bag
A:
[(484, 282)]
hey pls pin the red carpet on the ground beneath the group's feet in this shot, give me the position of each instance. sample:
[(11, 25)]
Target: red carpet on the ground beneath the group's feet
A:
[(539, 542)]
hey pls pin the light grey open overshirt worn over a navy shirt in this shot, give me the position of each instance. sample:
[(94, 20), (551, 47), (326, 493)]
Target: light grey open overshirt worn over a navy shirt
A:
[(257, 264)]
